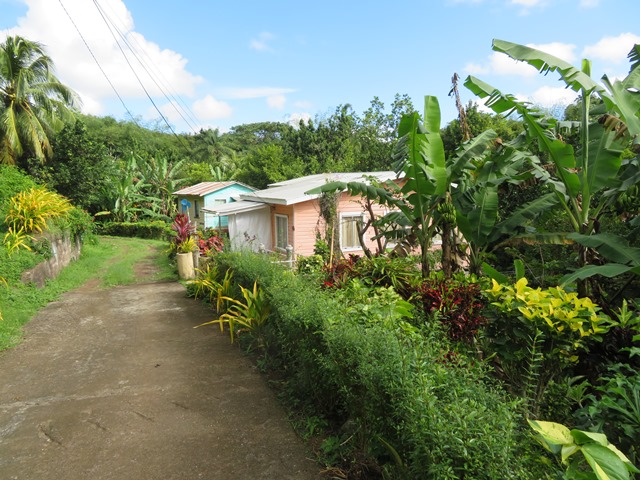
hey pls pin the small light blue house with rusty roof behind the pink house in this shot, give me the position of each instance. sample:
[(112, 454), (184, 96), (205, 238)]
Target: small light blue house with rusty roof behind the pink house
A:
[(192, 199)]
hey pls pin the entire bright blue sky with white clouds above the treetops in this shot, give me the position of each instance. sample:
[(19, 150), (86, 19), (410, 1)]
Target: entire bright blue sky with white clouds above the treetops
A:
[(219, 64)]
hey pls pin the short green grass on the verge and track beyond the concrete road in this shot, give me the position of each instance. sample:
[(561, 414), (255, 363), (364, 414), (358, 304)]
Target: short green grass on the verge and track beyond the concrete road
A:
[(111, 260)]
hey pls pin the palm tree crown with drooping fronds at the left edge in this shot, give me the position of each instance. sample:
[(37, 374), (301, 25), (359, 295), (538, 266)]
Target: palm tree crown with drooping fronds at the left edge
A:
[(33, 102)]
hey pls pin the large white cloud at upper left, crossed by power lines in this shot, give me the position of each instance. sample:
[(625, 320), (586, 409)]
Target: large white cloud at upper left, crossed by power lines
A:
[(48, 23)]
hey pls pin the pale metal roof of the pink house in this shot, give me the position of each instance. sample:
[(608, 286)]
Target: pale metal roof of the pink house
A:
[(293, 191)]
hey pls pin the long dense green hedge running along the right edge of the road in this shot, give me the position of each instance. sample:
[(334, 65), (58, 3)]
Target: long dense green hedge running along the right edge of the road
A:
[(398, 401)]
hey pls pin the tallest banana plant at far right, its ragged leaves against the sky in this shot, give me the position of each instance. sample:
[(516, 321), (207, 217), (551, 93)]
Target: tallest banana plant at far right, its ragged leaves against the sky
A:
[(585, 182)]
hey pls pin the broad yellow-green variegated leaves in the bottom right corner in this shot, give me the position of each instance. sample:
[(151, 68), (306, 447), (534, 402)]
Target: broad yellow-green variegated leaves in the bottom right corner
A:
[(586, 455)]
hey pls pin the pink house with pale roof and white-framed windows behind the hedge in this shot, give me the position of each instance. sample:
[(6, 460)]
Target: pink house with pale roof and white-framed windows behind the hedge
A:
[(284, 215)]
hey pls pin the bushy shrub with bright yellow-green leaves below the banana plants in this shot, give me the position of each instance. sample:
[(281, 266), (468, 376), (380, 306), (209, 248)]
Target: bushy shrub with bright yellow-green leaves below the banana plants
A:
[(535, 336)]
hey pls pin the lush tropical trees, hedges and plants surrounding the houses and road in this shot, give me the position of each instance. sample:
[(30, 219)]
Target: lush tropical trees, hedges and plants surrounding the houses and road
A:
[(512, 351)]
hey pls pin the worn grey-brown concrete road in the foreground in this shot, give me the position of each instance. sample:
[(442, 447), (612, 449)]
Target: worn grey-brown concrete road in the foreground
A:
[(117, 384)]
